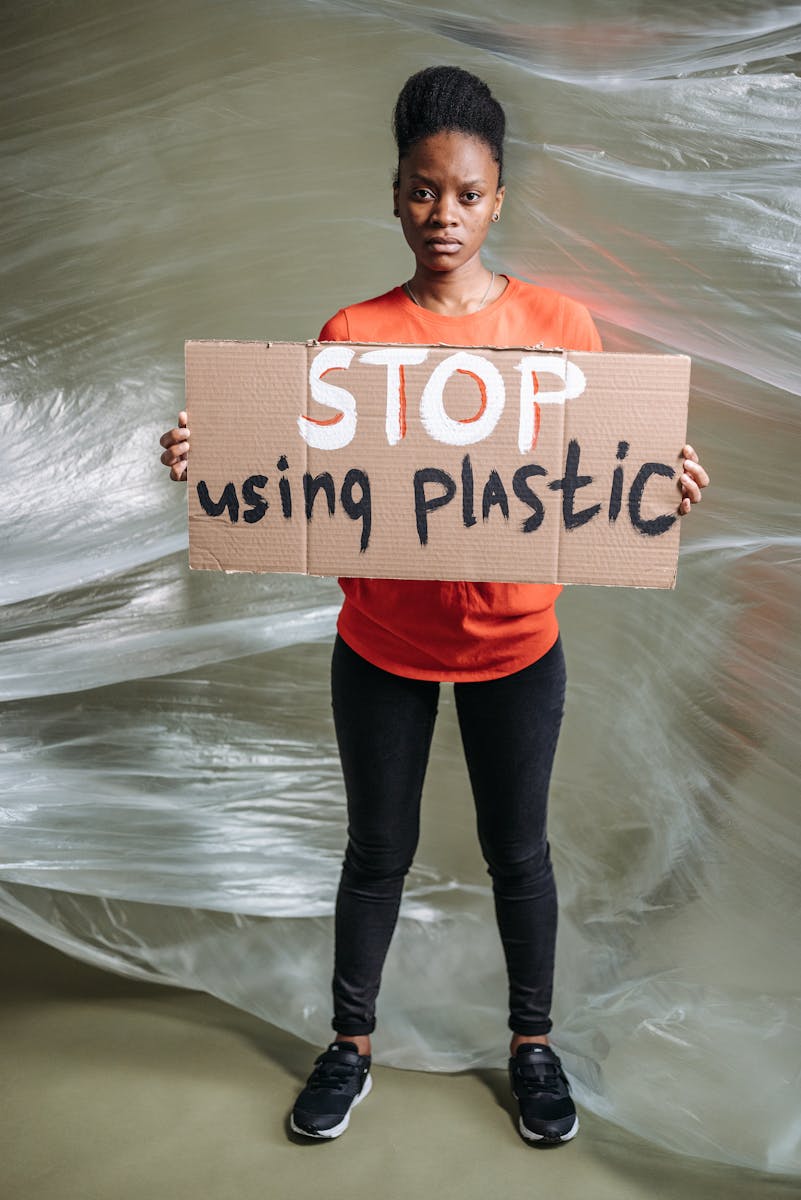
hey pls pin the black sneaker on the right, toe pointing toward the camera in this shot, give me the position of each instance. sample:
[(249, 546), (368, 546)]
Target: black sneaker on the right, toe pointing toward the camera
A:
[(539, 1085)]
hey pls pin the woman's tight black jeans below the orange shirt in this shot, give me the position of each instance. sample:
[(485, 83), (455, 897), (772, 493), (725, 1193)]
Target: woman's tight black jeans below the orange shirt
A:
[(510, 728)]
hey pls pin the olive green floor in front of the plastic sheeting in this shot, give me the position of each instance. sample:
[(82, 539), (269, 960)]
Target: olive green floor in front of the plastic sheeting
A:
[(116, 1090)]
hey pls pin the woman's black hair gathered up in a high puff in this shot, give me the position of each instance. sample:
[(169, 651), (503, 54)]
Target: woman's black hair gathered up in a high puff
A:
[(449, 99)]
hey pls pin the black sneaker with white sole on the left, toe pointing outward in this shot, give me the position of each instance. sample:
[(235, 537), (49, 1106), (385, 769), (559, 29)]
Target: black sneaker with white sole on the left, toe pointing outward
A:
[(341, 1079)]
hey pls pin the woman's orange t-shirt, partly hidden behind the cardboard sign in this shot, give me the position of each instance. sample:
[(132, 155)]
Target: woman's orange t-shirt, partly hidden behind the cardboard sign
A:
[(433, 629)]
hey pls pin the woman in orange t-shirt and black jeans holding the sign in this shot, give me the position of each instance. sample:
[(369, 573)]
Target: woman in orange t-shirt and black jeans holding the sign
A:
[(498, 644)]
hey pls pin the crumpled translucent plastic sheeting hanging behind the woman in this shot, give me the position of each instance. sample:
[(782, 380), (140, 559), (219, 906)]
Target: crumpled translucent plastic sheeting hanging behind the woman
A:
[(172, 806)]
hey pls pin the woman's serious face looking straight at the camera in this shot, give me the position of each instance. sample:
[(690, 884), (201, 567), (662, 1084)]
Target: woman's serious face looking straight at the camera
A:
[(447, 195)]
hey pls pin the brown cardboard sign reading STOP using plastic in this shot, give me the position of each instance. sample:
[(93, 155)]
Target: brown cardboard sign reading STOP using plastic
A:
[(436, 463)]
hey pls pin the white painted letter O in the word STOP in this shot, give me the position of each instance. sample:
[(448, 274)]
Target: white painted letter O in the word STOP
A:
[(472, 429)]
